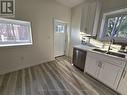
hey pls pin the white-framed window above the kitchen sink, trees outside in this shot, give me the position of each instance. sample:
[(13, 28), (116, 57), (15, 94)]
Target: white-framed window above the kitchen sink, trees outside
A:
[(114, 26)]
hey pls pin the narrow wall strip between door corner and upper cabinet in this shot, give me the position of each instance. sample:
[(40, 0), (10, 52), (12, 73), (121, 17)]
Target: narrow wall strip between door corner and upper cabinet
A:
[(75, 27)]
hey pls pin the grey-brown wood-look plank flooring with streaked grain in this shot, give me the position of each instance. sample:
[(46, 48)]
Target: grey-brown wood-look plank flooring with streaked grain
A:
[(58, 77)]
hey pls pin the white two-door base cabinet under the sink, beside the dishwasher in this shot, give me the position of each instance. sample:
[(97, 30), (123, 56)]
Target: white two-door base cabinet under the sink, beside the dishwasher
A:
[(104, 68)]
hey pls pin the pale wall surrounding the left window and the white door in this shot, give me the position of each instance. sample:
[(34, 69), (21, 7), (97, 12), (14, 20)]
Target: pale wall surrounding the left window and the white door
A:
[(41, 14)]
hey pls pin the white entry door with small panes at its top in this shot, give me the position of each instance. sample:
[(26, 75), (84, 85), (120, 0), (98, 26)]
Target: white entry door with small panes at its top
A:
[(59, 38)]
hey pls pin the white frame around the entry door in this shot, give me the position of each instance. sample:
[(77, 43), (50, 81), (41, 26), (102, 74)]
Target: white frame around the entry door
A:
[(67, 36)]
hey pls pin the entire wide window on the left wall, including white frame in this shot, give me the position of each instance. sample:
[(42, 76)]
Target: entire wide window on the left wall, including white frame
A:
[(15, 32)]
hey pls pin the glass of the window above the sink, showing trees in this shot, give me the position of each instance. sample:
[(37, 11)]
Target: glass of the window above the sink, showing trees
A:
[(116, 26)]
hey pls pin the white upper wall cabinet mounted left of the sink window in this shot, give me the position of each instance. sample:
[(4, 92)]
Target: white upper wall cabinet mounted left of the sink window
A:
[(90, 17)]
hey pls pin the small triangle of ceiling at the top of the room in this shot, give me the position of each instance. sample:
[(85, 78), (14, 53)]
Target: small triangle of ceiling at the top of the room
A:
[(70, 3)]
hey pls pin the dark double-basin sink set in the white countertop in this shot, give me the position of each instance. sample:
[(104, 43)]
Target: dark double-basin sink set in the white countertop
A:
[(110, 53)]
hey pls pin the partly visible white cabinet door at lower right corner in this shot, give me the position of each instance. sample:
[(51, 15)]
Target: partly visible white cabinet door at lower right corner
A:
[(122, 88)]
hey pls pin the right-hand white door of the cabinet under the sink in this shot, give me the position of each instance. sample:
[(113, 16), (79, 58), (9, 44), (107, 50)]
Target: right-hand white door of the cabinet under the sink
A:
[(110, 74)]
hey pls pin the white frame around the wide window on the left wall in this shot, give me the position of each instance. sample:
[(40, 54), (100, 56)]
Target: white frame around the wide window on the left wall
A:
[(12, 21)]
